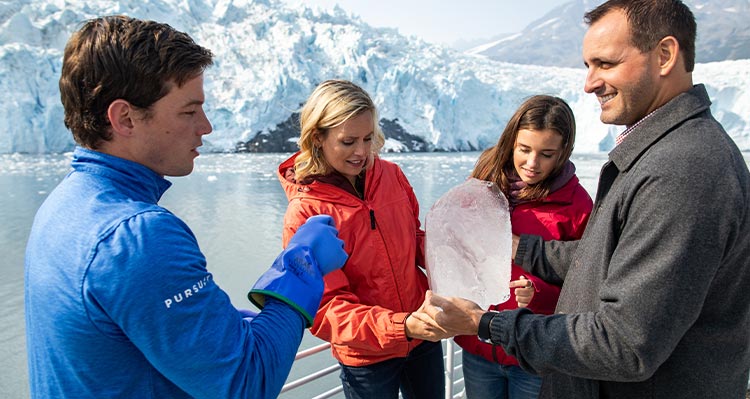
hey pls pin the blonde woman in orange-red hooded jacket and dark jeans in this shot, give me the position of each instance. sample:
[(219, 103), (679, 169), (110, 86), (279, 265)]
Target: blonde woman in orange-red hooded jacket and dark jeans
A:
[(366, 308)]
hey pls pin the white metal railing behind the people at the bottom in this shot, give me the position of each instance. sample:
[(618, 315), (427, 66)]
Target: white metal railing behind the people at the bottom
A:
[(454, 382)]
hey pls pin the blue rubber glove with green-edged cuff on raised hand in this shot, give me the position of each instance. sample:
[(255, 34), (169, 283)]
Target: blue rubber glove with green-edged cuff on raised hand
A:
[(296, 276)]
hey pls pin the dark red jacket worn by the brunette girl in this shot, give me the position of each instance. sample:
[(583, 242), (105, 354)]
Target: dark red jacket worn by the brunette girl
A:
[(562, 215)]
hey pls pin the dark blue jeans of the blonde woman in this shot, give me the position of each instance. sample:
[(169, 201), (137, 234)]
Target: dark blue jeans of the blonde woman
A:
[(420, 375)]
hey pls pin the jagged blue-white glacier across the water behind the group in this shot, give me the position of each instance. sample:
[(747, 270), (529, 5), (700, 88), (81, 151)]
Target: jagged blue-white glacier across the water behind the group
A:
[(269, 57)]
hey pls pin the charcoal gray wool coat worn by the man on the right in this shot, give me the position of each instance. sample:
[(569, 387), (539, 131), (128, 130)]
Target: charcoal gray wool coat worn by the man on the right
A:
[(655, 301)]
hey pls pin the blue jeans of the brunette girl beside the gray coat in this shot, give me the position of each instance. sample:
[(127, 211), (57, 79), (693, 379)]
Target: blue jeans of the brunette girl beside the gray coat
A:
[(487, 380)]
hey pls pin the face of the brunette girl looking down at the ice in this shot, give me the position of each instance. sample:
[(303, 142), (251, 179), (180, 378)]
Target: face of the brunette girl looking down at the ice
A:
[(536, 153)]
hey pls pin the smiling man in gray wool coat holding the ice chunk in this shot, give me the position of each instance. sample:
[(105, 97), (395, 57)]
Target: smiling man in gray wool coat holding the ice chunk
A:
[(654, 301)]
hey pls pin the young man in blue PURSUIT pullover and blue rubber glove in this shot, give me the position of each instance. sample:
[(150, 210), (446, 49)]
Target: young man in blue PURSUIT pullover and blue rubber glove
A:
[(119, 303)]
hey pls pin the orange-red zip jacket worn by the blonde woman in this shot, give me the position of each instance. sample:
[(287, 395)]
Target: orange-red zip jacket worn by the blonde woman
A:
[(365, 303)]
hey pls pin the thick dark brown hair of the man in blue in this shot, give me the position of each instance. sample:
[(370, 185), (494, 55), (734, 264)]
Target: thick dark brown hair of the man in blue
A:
[(118, 57)]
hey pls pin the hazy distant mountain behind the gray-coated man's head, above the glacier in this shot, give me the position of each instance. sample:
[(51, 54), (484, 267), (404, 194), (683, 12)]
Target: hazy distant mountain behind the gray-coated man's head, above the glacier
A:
[(555, 38)]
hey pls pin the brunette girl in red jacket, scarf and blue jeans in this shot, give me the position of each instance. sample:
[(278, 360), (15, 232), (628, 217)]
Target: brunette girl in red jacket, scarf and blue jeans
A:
[(531, 165)]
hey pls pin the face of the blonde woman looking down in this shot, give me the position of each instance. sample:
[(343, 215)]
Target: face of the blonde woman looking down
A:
[(347, 146)]
